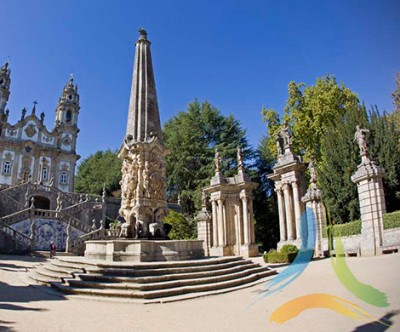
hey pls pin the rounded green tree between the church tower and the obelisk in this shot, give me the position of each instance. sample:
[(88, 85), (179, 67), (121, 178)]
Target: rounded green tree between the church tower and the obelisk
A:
[(102, 168)]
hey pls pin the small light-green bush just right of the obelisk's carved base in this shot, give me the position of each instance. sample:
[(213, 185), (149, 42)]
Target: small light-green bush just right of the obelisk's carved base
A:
[(182, 228)]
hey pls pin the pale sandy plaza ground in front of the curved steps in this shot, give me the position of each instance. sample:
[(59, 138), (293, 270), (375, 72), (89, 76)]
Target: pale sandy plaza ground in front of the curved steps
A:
[(30, 308)]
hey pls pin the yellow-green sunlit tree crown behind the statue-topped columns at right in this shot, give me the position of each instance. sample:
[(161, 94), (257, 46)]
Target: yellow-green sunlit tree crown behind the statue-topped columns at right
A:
[(309, 111)]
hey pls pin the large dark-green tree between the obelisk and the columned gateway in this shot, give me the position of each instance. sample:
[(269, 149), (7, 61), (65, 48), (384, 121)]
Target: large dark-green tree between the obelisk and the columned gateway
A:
[(192, 137)]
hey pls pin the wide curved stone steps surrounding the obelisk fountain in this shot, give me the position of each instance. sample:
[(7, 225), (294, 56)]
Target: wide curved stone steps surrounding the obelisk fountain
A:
[(150, 282)]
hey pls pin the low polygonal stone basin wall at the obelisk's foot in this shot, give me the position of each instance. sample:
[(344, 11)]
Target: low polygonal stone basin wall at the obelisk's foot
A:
[(143, 250)]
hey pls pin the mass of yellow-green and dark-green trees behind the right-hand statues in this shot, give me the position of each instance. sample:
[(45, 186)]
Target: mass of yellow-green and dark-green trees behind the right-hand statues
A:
[(322, 119)]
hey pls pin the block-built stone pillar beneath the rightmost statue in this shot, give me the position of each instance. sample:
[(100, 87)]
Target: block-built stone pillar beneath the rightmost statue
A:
[(368, 178)]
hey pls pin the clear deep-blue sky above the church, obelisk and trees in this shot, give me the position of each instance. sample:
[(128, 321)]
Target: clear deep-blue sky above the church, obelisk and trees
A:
[(238, 55)]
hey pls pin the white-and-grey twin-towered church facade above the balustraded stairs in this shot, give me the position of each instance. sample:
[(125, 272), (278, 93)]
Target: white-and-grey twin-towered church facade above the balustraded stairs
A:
[(29, 151)]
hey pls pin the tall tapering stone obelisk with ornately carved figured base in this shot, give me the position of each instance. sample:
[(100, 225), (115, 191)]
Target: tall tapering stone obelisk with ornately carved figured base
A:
[(143, 185)]
